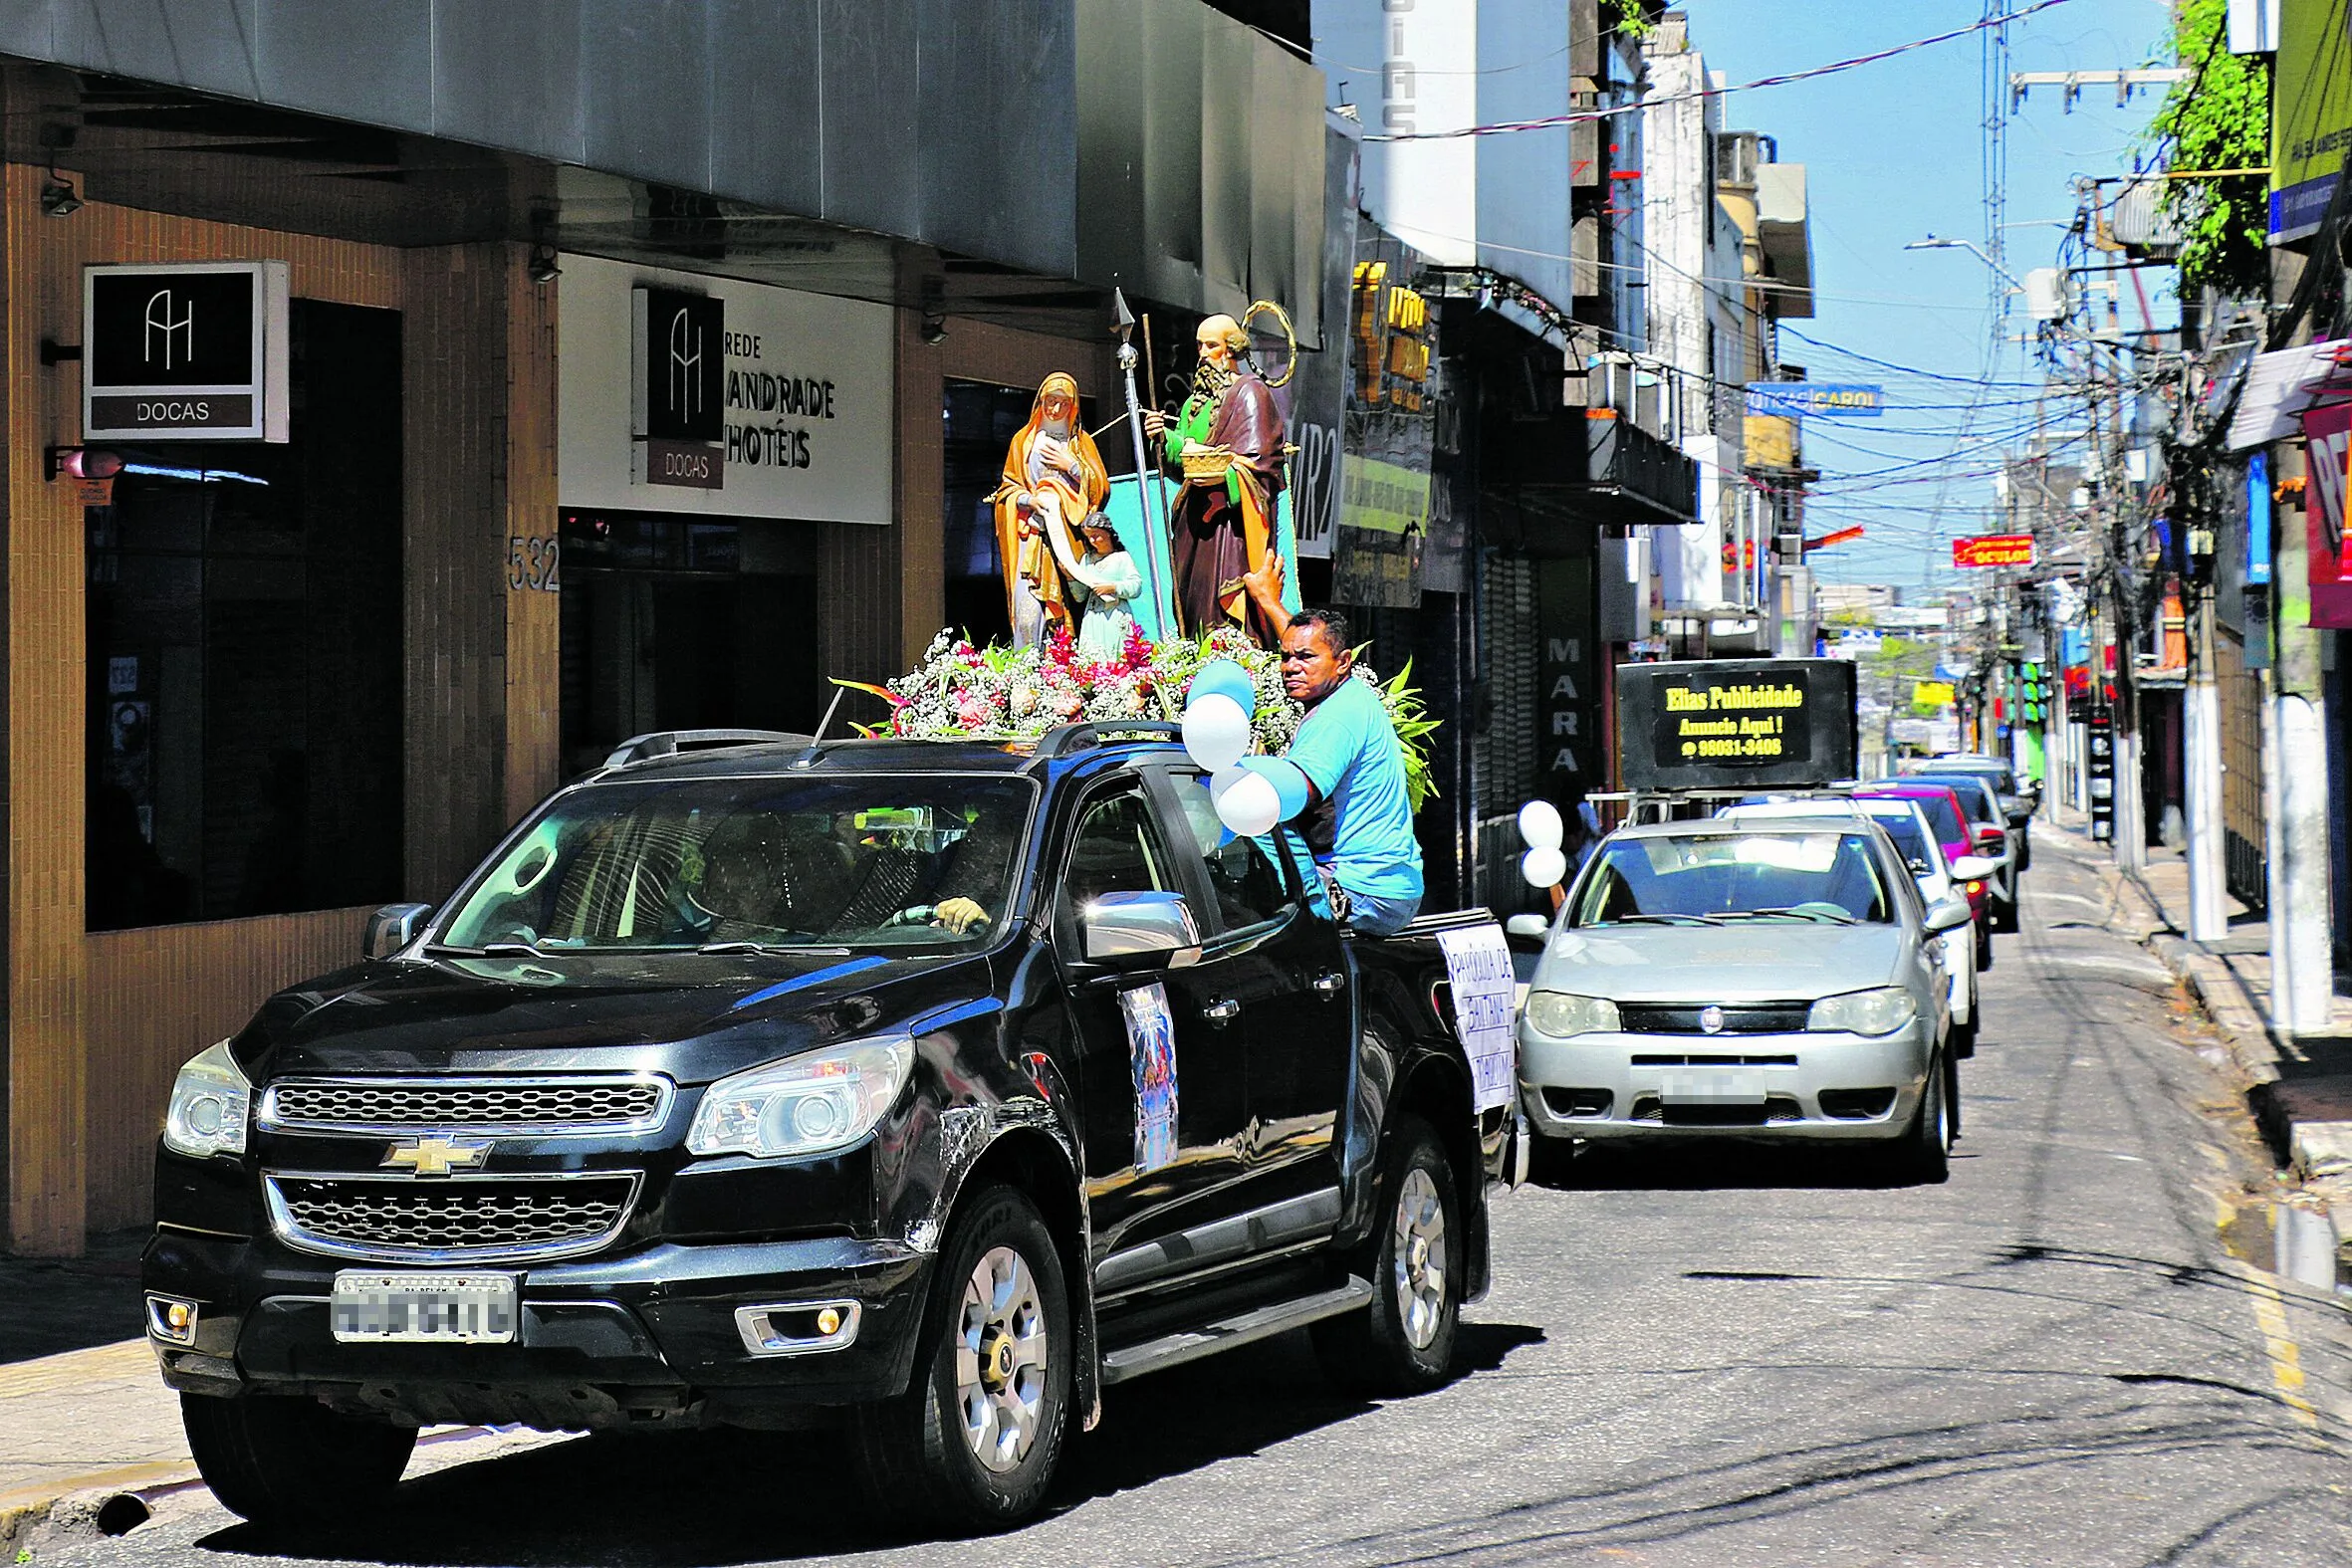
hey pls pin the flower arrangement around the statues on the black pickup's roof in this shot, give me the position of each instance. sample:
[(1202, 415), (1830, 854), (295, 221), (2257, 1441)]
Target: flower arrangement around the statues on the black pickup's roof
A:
[(965, 692)]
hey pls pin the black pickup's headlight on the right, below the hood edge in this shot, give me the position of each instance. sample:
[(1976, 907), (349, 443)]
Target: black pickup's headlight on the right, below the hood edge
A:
[(806, 1106)]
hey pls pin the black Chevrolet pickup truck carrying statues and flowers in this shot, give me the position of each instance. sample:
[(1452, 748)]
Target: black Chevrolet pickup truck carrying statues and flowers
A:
[(918, 1090)]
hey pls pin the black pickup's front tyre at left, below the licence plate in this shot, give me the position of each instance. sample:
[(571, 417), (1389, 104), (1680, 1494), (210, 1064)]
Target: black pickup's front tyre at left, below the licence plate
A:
[(293, 1461)]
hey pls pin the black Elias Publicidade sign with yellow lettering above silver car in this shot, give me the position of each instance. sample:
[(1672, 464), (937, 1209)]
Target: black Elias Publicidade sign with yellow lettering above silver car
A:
[(1737, 723)]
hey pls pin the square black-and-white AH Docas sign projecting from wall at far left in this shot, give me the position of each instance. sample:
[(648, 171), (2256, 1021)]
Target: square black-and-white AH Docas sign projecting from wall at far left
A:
[(185, 351)]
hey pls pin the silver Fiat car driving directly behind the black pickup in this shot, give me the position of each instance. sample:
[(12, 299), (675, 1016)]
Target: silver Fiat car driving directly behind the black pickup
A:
[(1756, 979)]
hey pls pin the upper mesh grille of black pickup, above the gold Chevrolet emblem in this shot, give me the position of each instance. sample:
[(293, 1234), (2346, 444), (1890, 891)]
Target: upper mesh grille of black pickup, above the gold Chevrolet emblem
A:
[(467, 1106)]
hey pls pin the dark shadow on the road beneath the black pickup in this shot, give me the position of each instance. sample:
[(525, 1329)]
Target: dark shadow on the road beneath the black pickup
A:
[(719, 1499)]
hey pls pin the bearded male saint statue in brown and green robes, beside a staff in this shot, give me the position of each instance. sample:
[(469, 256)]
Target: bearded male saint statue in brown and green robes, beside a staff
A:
[(1231, 453)]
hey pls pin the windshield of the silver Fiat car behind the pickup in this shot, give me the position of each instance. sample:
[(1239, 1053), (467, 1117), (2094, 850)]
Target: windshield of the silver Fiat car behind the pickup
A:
[(1730, 878)]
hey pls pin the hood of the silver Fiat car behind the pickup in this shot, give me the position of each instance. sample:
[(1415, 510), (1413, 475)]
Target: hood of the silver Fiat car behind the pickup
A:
[(1742, 963)]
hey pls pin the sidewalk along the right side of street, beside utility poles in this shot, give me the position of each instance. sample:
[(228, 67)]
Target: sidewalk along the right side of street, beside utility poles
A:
[(2301, 1087)]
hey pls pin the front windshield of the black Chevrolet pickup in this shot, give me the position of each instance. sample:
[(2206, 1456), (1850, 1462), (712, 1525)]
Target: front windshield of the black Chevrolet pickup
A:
[(841, 862)]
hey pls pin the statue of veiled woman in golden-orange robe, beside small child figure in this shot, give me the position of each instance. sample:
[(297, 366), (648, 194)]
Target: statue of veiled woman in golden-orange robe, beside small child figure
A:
[(1055, 483)]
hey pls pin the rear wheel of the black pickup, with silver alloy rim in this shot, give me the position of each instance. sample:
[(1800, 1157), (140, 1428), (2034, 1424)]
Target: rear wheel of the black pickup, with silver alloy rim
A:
[(1417, 1257)]
